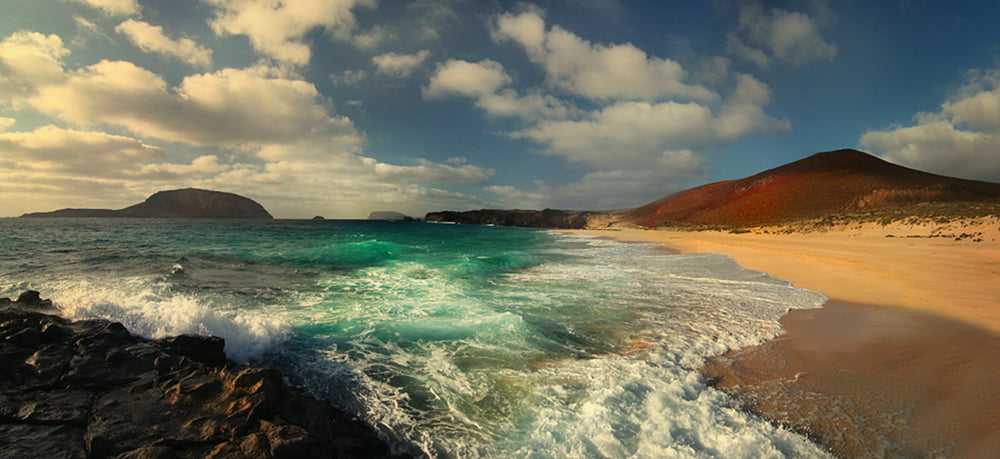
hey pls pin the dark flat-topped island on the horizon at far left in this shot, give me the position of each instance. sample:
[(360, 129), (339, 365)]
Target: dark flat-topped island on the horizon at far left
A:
[(184, 203)]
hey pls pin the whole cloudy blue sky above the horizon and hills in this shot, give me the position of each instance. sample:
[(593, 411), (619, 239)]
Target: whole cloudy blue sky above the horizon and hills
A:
[(343, 107)]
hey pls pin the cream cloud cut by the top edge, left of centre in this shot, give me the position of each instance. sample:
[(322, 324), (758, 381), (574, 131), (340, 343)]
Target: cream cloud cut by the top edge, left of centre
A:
[(278, 29)]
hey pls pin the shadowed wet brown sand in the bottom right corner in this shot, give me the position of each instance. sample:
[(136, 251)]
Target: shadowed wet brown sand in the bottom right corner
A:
[(874, 381)]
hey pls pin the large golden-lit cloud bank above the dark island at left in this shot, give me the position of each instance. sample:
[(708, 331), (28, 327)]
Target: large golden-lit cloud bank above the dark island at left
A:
[(279, 136)]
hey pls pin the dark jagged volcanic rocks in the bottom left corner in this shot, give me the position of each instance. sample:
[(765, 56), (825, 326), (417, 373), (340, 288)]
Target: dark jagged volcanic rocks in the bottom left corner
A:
[(91, 389)]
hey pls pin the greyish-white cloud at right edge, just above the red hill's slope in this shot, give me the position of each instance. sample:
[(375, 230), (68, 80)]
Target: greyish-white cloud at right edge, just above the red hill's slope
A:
[(962, 139)]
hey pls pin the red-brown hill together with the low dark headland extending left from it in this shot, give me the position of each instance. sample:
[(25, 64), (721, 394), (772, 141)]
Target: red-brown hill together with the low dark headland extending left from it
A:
[(823, 186)]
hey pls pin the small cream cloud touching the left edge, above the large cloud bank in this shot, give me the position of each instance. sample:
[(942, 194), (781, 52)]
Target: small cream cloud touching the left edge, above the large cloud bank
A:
[(27, 60)]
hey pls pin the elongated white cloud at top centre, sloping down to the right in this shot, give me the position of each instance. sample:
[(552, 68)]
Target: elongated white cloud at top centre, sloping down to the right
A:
[(596, 71)]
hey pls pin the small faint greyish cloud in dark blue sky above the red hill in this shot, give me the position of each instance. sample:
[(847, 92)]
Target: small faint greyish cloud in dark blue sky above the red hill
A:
[(778, 35)]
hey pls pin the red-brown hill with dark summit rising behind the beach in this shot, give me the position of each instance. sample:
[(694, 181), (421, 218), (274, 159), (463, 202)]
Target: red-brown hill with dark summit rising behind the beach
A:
[(826, 183)]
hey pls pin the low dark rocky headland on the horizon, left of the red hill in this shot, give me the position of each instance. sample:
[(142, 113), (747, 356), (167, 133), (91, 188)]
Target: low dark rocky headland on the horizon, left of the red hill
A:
[(548, 218)]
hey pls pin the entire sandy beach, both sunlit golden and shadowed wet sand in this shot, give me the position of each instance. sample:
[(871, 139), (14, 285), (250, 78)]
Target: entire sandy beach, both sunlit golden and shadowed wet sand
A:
[(911, 376)]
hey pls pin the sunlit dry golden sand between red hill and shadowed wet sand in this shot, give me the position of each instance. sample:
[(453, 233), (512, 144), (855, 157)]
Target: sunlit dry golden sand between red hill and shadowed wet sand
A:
[(918, 266)]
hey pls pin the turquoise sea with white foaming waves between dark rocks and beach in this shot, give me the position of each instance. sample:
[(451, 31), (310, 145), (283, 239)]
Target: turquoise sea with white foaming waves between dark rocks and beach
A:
[(453, 340)]
